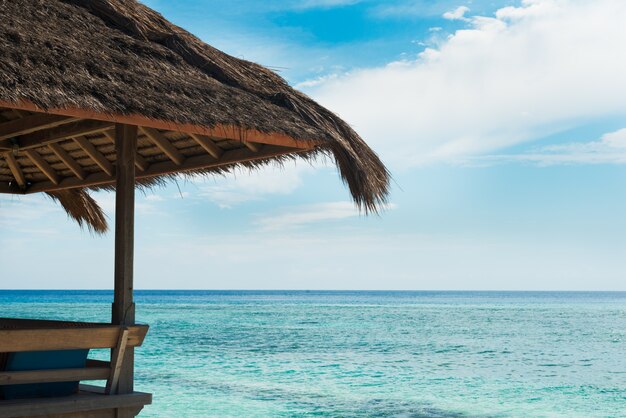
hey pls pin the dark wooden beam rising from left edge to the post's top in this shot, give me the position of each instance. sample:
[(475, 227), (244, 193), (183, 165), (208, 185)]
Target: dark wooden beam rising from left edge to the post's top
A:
[(60, 133)]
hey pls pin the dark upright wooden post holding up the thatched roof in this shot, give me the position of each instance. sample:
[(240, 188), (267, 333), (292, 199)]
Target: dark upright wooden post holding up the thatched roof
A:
[(123, 305)]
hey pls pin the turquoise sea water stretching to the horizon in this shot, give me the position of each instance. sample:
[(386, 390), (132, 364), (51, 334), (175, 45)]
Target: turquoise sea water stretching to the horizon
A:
[(368, 354)]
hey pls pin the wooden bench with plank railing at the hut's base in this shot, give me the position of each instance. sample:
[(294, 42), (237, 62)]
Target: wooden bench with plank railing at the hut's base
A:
[(24, 335)]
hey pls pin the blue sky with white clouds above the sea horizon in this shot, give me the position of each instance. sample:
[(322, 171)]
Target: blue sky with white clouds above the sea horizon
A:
[(503, 123)]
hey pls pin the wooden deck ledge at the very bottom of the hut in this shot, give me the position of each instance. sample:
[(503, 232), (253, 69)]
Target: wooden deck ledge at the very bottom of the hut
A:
[(90, 402)]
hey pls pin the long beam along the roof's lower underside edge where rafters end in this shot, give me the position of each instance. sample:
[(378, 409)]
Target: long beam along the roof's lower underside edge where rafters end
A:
[(169, 167)]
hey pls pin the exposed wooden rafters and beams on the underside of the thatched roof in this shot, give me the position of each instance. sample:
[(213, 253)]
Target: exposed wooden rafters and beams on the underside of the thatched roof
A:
[(63, 135)]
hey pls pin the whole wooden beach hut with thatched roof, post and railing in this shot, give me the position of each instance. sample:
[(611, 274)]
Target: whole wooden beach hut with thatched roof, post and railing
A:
[(107, 94)]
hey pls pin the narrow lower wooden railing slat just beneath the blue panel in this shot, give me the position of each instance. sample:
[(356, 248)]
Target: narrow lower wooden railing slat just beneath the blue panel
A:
[(58, 375)]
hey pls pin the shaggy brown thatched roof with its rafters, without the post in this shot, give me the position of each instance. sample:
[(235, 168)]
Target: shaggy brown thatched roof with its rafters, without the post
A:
[(70, 69)]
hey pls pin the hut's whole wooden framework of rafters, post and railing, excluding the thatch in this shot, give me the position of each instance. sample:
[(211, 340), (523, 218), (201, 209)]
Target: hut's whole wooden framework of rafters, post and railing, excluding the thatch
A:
[(61, 149)]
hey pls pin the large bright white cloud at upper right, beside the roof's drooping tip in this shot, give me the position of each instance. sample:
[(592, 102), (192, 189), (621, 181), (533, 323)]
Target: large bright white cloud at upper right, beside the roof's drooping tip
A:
[(528, 72)]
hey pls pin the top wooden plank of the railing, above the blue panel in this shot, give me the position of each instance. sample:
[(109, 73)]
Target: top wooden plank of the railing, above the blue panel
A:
[(17, 340)]
